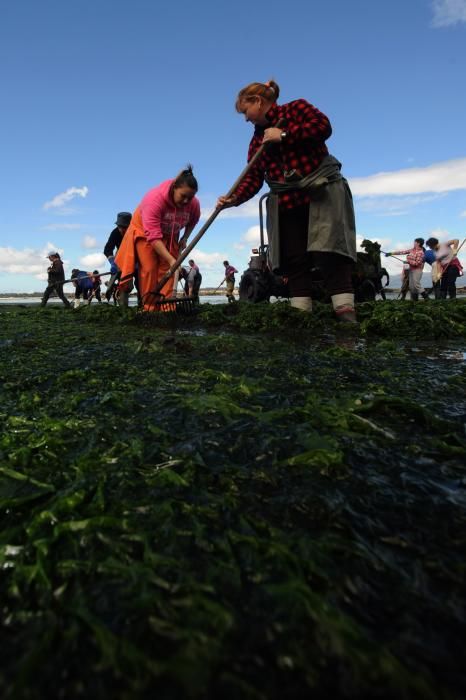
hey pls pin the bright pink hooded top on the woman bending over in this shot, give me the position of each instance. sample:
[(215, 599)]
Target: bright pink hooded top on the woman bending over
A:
[(161, 219)]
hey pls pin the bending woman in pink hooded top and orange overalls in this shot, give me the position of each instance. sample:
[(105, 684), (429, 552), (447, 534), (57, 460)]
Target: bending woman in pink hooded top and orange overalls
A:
[(153, 237)]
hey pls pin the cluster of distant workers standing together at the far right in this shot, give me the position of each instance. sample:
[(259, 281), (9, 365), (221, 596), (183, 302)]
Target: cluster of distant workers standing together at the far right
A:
[(445, 268)]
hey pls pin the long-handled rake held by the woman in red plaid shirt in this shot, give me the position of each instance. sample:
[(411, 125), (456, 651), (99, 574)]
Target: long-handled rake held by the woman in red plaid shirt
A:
[(186, 305)]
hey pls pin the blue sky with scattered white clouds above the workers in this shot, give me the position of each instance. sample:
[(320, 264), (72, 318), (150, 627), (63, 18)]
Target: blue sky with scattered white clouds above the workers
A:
[(101, 100)]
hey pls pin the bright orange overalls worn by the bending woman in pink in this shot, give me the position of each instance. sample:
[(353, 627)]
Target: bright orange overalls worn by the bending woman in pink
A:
[(134, 249)]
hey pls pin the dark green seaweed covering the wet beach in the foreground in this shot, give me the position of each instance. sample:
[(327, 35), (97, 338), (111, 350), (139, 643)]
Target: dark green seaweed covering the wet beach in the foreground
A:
[(245, 503)]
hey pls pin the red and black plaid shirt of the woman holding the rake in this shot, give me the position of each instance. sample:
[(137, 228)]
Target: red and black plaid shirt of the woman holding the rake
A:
[(303, 150)]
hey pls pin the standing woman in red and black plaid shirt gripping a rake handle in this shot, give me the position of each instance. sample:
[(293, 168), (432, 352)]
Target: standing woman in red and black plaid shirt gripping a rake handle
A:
[(310, 216)]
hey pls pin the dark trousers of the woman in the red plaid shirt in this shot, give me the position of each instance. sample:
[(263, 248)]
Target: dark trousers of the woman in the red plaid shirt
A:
[(296, 263)]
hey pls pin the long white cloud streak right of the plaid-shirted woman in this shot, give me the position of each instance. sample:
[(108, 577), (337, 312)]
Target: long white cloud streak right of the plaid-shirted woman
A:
[(440, 177)]
